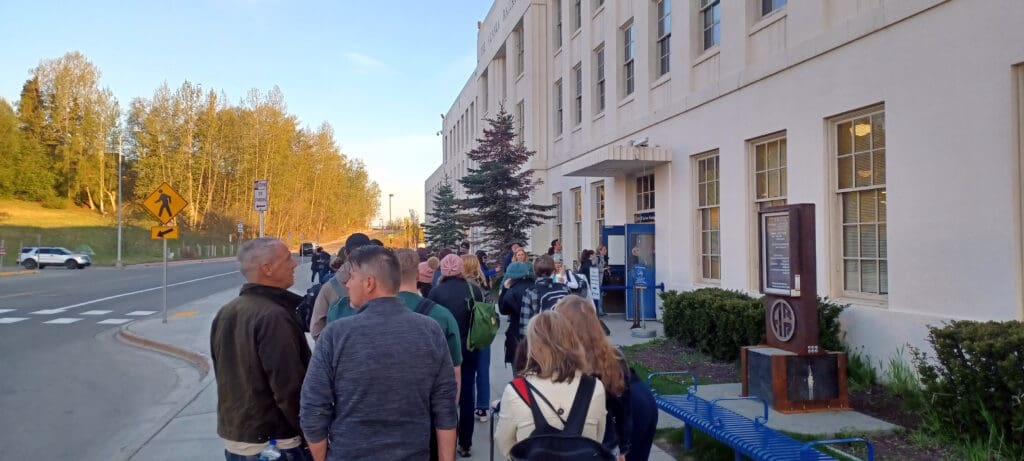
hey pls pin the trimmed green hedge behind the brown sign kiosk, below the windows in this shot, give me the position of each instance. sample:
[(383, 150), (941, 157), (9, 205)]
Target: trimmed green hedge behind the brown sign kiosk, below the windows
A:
[(719, 322)]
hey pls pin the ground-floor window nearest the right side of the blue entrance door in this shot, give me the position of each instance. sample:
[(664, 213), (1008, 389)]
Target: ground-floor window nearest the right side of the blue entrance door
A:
[(709, 218)]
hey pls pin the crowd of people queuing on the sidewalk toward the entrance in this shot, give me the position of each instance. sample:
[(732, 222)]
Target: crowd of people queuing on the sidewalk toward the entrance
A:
[(392, 376)]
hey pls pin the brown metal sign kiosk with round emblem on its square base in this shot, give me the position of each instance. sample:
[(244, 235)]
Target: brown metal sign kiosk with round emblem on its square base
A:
[(792, 372)]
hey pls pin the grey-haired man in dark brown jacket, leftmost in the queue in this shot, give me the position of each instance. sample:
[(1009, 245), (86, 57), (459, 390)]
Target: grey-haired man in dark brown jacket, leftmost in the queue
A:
[(261, 357)]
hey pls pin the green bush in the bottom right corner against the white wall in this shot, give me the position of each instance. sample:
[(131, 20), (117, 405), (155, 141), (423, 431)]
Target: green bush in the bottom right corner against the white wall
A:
[(975, 383)]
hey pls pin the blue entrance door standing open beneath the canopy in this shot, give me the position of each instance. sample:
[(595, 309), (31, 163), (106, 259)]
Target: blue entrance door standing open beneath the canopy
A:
[(641, 250)]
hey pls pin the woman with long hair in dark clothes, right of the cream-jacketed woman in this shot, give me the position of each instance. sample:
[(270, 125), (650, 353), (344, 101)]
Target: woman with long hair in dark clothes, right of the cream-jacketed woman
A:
[(632, 411)]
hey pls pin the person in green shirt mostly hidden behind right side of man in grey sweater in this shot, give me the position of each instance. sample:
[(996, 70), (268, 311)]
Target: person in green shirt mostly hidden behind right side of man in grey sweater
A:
[(409, 261)]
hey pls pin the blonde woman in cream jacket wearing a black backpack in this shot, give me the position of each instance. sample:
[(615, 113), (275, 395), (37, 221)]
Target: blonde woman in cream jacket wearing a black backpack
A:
[(553, 374)]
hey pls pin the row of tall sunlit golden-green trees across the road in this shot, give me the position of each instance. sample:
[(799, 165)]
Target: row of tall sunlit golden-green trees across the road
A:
[(60, 145)]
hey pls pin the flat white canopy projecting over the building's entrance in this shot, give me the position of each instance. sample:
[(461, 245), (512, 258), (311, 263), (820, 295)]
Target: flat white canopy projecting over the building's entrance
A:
[(618, 161)]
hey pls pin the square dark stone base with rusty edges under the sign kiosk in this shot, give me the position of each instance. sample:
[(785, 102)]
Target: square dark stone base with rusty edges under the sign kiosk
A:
[(795, 384)]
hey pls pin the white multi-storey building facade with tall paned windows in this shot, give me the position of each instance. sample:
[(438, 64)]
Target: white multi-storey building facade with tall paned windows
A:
[(901, 120)]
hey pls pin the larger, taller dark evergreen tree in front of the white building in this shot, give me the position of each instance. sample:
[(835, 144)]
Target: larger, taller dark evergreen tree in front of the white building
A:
[(498, 191)]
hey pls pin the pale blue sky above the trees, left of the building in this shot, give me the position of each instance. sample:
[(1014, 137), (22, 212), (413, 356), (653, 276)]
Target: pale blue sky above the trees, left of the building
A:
[(380, 73)]
